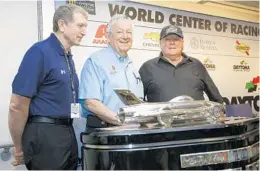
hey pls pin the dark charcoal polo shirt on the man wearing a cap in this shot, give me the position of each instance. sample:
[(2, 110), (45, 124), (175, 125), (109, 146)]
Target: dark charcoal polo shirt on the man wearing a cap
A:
[(164, 81)]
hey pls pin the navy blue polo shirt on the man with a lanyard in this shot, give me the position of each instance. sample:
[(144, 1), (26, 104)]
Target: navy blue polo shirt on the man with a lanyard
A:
[(43, 76)]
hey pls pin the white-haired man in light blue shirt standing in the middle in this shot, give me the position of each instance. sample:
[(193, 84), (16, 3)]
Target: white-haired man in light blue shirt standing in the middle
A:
[(106, 70)]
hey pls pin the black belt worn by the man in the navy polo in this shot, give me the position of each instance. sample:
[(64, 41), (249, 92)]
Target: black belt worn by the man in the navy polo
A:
[(44, 119)]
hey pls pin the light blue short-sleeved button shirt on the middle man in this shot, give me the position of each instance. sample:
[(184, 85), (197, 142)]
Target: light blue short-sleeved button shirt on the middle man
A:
[(103, 71)]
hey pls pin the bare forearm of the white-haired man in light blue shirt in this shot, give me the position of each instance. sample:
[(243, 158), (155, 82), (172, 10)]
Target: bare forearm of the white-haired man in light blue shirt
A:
[(101, 111)]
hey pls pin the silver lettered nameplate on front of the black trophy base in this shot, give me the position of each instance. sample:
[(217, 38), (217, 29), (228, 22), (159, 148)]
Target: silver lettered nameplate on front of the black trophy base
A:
[(218, 157)]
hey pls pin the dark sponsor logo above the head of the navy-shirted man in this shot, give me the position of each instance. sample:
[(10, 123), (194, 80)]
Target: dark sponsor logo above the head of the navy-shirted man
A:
[(89, 6)]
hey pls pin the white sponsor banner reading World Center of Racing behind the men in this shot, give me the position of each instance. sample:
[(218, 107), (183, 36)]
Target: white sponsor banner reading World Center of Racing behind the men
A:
[(228, 48)]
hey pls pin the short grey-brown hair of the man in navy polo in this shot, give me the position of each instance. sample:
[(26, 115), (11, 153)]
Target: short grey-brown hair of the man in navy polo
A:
[(65, 12)]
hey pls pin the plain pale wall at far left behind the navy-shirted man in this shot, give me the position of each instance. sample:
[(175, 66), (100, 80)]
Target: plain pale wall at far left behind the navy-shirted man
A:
[(18, 32)]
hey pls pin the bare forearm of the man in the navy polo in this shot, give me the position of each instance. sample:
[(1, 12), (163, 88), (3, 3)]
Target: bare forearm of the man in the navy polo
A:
[(17, 118)]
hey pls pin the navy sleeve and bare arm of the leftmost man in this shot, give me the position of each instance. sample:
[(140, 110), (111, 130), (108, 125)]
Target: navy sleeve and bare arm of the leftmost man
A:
[(25, 85)]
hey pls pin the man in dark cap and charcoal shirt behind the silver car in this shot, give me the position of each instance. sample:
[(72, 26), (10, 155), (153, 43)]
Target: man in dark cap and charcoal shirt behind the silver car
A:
[(174, 73)]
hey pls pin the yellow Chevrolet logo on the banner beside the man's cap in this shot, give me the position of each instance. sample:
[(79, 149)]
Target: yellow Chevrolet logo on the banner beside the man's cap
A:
[(151, 39)]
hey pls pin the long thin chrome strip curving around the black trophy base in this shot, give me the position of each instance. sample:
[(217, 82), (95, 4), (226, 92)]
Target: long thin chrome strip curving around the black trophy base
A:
[(159, 145)]
